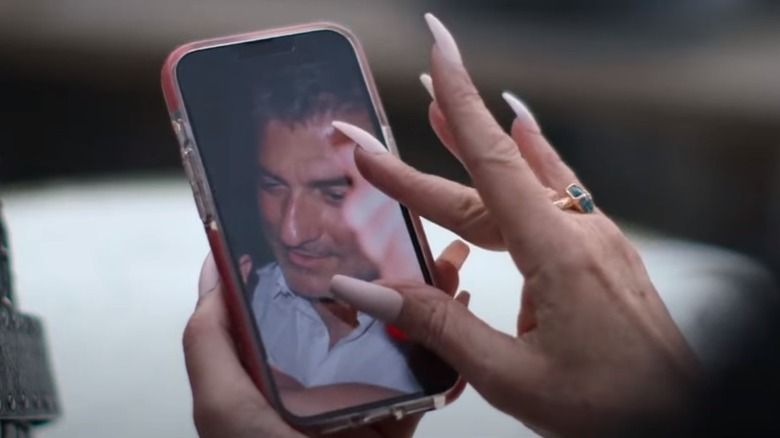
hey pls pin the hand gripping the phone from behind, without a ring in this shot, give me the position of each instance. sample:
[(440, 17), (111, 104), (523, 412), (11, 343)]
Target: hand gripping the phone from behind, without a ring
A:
[(227, 404)]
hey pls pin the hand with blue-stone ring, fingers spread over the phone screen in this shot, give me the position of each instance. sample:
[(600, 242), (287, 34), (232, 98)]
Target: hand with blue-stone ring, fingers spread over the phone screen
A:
[(596, 350)]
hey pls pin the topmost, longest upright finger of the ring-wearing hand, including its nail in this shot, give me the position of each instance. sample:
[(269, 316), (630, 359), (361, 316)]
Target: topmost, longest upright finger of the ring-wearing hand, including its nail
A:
[(504, 180)]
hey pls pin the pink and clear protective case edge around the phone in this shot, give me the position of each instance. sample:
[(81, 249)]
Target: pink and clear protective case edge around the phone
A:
[(249, 345)]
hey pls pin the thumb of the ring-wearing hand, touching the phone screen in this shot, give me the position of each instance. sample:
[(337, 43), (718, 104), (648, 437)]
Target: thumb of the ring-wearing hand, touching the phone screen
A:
[(445, 326)]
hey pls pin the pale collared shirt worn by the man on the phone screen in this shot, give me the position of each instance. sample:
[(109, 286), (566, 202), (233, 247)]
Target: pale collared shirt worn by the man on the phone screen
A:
[(296, 341)]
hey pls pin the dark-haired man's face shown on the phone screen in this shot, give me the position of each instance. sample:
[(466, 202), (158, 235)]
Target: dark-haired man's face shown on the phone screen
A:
[(302, 185)]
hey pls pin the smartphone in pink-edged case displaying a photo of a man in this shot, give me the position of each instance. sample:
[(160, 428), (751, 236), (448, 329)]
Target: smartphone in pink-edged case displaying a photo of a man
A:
[(285, 209)]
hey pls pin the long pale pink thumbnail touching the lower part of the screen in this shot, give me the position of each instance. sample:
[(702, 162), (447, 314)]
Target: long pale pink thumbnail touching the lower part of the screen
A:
[(378, 301)]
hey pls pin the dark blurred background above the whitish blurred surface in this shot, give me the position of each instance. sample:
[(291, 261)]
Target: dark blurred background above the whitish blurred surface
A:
[(668, 110)]
